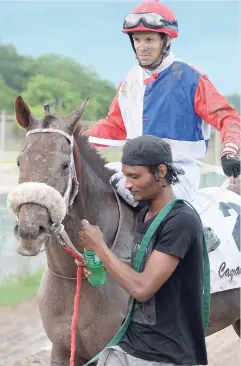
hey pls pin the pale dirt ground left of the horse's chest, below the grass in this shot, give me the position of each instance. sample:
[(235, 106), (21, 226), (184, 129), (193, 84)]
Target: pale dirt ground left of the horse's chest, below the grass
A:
[(22, 338)]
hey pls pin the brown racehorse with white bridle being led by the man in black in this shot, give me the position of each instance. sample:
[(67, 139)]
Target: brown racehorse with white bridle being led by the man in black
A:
[(57, 156)]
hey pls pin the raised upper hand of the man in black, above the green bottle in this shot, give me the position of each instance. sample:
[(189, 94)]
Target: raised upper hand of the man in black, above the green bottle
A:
[(91, 238)]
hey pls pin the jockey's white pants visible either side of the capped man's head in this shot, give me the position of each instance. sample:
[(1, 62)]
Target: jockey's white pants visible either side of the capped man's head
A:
[(189, 182)]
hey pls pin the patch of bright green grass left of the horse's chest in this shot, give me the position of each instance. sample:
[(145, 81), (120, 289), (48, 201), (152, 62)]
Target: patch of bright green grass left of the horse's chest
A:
[(17, 289)]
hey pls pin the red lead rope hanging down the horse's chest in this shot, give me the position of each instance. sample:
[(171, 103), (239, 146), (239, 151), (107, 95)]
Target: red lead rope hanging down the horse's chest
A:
[(76, 306)]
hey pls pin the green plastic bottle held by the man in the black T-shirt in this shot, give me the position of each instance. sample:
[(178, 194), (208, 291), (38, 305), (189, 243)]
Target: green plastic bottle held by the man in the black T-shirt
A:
[(95, 266)]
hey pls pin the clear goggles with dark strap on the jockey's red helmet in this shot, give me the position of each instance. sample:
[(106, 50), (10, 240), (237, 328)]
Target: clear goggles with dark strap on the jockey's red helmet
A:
[(149, 20)]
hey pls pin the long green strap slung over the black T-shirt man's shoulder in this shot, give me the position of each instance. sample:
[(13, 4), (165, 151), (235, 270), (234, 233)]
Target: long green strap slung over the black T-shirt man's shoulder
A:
[(137, 265)]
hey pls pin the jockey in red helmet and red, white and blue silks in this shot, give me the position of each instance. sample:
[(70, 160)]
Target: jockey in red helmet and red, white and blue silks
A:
[(166, 97)]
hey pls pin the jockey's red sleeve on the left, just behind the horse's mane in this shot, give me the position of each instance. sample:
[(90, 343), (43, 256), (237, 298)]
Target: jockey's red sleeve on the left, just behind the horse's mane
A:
[(112, 127)]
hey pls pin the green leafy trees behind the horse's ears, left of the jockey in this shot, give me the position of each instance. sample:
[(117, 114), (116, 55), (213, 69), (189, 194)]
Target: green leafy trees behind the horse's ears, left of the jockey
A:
[(53, 79)]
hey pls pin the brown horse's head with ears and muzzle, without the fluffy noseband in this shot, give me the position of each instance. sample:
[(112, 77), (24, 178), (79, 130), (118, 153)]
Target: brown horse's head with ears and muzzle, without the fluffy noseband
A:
[(47, 158)]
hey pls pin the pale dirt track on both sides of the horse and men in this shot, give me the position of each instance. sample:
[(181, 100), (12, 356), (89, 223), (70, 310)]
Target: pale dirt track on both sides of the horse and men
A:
[(24, 343)]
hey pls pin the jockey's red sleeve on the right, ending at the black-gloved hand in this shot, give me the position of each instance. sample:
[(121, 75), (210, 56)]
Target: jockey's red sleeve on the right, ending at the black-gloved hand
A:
[(214, 109)]
